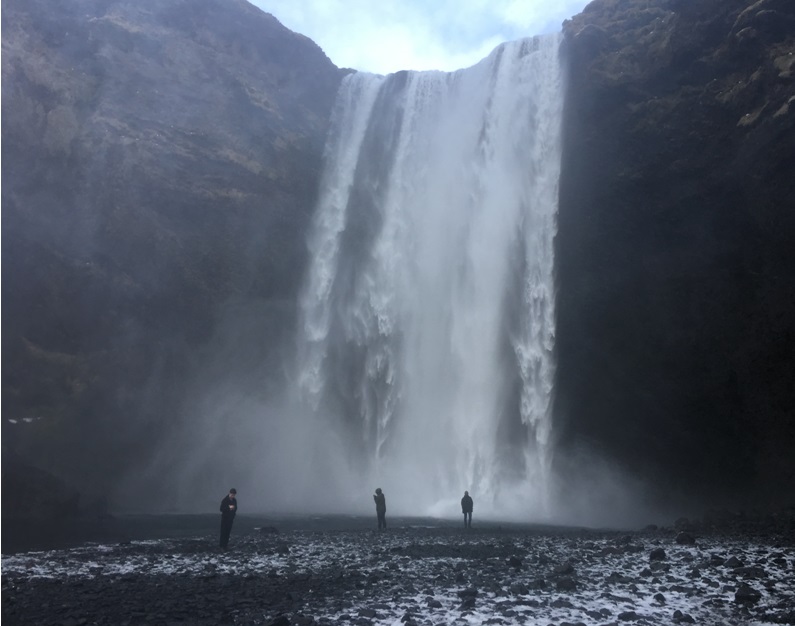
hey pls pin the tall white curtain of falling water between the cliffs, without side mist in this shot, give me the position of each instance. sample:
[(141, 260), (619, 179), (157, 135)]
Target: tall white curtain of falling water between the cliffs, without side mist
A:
[(428, 322)]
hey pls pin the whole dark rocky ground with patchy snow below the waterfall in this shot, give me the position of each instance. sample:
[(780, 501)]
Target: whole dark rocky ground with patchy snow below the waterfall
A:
[(417, 572)]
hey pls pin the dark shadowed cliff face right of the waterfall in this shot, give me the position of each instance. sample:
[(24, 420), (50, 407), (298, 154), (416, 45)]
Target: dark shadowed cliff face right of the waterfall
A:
[(676, 246)]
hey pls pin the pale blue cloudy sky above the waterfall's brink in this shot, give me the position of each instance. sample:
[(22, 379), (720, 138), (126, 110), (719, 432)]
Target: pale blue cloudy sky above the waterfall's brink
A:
[(385, 36)]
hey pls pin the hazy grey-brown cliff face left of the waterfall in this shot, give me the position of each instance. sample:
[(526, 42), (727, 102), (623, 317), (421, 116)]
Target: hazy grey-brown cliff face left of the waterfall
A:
[(160, 162)]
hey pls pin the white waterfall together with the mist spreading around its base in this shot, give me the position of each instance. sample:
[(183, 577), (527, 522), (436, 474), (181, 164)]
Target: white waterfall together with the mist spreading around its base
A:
[(420, 357)]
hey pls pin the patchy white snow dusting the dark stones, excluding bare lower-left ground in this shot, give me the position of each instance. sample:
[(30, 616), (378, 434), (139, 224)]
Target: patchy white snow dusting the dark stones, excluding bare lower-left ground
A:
[(604, 579)]
